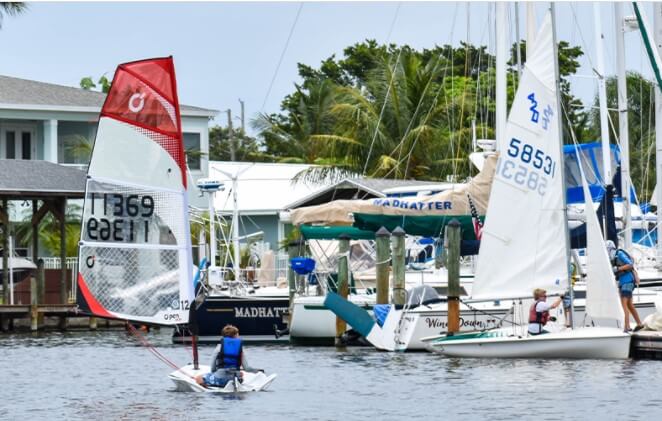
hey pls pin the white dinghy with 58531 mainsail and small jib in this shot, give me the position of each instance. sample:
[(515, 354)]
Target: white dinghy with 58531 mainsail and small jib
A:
[(525, 240)]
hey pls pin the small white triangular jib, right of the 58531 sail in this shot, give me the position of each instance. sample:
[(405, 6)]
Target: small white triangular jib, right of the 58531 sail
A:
[(602, 300)]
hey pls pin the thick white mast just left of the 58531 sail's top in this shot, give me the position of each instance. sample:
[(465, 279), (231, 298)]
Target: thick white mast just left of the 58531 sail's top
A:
[(501, 82)]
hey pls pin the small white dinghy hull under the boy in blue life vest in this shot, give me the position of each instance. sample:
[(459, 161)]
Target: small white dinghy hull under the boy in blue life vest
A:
[(184, 380)]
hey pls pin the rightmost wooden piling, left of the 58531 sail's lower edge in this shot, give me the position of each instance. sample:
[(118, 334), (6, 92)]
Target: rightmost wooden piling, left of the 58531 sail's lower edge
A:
[(452, 238)]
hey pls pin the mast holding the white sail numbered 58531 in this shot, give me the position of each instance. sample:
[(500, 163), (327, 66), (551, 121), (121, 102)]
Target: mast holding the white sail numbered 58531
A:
[(561, 158)]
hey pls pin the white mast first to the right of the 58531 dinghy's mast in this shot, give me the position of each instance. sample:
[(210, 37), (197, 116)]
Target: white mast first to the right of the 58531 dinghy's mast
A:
[(602, 95)]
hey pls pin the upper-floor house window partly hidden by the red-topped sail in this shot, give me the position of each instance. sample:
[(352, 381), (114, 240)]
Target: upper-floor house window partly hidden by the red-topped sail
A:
[(75, 140)]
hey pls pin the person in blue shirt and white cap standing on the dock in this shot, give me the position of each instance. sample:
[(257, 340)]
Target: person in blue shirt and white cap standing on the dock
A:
[(624, 270)]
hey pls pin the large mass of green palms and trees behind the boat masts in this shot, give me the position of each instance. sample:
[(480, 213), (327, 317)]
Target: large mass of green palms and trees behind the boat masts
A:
[(393, 111)]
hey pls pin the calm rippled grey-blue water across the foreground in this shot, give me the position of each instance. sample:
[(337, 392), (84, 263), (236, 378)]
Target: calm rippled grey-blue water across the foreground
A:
[(107, 375)]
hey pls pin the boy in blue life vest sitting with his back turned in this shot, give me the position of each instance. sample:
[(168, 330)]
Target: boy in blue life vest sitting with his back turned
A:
[(227, 360)]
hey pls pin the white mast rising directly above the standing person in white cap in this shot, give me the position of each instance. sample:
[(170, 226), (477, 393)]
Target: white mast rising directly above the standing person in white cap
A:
[(619, 26)]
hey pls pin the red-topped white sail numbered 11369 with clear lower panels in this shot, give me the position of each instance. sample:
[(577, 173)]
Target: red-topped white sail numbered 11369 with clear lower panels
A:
[(135, 247)]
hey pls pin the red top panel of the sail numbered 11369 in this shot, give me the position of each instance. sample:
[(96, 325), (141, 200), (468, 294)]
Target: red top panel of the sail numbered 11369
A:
[(144, 94)]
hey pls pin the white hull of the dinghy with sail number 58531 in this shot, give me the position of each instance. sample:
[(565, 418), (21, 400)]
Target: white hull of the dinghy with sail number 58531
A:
[(592, 342)]
